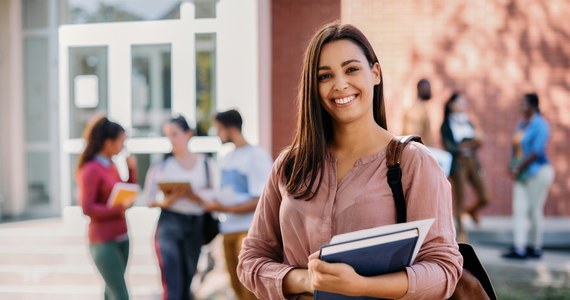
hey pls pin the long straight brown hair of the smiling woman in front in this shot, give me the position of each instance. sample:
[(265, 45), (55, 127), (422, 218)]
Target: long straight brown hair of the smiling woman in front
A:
[(303, 161)]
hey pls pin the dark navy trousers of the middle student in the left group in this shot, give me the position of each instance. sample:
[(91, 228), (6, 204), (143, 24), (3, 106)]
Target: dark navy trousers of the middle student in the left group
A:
[(178, 242)]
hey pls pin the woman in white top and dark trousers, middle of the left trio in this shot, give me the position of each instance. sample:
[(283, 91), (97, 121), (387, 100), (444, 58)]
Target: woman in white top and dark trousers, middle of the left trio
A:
[(178, 238)]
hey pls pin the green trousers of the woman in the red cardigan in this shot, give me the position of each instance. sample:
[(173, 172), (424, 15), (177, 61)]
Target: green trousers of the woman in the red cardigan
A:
[(111, 261)]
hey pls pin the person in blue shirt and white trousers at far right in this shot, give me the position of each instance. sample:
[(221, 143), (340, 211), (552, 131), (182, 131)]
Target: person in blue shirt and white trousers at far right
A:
[(533, 175)]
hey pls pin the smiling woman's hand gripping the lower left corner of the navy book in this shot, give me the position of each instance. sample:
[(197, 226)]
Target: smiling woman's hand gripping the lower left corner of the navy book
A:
[(337, 278)]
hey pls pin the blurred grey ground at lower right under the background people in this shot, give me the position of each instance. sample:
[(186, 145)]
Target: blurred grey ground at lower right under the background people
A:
[(547, 278)]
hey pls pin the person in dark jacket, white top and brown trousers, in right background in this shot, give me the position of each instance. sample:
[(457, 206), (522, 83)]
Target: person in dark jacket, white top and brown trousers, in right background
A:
[(460, 137)]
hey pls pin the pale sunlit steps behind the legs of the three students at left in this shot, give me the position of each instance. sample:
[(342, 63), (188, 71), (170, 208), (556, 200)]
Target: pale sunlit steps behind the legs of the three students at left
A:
[(49, 259)]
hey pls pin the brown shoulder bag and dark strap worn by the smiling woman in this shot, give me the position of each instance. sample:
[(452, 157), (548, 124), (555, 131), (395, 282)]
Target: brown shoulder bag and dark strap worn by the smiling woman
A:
[(474, 282)]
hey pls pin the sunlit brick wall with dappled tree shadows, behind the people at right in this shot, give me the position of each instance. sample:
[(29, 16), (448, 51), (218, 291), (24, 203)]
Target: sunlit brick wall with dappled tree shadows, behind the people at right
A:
[(493, 51)]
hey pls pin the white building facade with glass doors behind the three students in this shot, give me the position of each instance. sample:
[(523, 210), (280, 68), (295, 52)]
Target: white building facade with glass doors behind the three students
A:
[(138, 62)]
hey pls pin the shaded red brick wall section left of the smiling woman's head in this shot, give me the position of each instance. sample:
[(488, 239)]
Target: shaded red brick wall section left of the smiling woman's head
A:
[(293, 23)]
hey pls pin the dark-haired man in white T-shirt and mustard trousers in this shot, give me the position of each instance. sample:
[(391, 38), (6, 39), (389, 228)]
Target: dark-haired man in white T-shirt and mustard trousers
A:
[(244, 172)]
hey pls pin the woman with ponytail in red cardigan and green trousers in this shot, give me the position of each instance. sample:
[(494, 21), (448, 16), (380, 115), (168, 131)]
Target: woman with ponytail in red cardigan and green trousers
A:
[(96, 176)]
